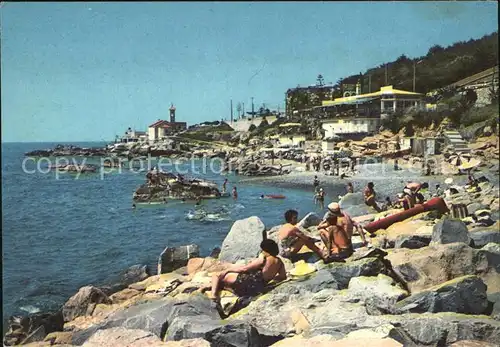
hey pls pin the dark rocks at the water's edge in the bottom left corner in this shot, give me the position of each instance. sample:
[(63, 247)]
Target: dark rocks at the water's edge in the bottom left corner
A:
[(32, 328)]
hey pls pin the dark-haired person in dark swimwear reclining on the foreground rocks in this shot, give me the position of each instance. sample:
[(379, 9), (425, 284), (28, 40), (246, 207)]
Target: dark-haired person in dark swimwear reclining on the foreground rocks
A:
[(251, 279)]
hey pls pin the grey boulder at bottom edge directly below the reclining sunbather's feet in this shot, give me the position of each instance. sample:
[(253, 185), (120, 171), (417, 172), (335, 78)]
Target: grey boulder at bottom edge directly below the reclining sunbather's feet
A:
[(237, 334)]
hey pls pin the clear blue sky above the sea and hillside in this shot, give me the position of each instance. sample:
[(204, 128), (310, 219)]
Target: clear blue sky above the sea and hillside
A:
[(87, 71)]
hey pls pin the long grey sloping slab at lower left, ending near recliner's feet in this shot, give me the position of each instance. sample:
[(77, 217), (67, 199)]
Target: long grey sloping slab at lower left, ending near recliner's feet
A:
[(154, 316)]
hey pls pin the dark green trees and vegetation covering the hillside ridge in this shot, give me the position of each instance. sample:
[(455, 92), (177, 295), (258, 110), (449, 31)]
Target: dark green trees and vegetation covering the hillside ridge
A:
[(440, 67)]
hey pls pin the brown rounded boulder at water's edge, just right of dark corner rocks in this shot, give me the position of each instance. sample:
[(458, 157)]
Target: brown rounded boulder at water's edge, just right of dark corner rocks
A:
[(84, 302)]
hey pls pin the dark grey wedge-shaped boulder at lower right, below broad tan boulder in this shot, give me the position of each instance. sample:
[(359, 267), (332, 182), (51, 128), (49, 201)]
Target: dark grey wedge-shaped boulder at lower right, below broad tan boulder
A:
[(465, 294)]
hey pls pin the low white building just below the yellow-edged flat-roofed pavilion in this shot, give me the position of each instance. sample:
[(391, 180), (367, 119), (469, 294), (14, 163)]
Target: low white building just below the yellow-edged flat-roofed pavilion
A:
[(339, 126)]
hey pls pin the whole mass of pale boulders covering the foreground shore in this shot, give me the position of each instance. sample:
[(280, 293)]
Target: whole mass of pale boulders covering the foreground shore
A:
[(443, 293)]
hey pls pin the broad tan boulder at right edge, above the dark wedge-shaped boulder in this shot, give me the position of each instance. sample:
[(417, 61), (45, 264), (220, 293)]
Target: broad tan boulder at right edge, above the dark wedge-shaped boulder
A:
[(426, 267)]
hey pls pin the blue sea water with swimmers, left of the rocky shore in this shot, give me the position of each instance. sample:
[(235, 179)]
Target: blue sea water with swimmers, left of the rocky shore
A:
[(62, 234)]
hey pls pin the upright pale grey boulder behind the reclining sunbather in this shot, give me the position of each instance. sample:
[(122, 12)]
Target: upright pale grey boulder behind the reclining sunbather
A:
[(243, 241)]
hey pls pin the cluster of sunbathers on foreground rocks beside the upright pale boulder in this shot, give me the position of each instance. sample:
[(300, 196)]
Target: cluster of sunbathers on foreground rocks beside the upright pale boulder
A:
[(335, 232)]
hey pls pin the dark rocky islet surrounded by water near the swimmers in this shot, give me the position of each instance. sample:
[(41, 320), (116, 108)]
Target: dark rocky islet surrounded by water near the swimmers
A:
[(163, 185)]
